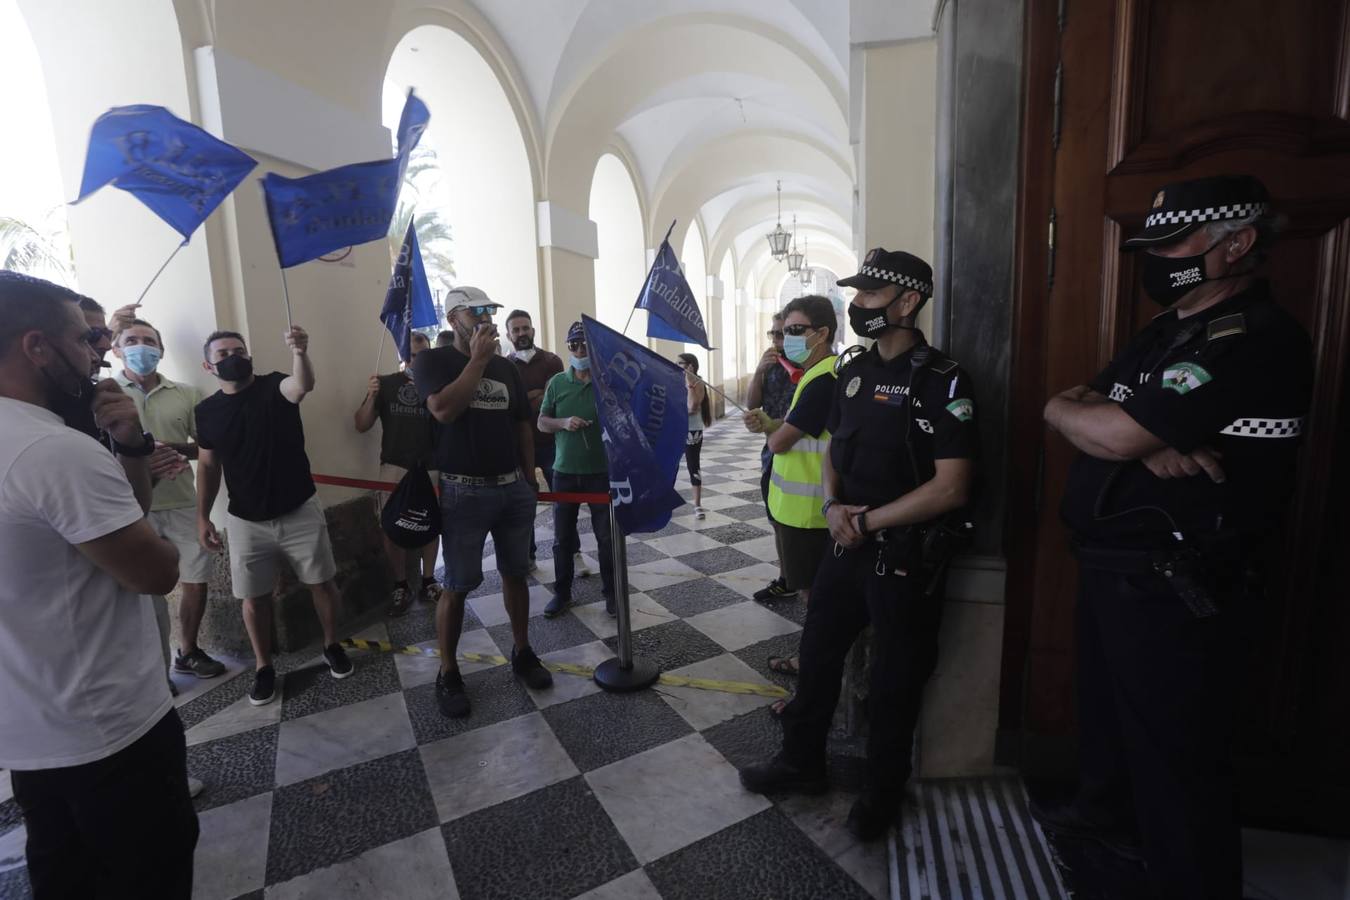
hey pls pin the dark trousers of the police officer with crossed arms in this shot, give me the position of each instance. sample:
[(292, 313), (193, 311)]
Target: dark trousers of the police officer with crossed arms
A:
[(1156, 709)]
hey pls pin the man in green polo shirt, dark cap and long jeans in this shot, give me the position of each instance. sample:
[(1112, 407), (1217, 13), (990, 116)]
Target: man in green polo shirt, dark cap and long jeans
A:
[(580, 466)]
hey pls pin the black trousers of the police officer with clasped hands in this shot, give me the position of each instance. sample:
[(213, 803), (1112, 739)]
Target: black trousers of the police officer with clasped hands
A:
[(847, 596)]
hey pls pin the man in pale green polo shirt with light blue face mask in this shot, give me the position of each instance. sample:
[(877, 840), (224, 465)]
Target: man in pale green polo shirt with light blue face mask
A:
[(167, 412)]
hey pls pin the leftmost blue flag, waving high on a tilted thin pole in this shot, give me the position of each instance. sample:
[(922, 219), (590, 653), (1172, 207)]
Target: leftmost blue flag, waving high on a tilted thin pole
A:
[(175, 168)]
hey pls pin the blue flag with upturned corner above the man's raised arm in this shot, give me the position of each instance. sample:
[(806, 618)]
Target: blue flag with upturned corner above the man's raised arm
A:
[(341, 207)]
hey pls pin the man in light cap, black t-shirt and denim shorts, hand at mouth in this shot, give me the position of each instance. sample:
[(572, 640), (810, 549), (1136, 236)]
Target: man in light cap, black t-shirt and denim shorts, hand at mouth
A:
[(485, 451)]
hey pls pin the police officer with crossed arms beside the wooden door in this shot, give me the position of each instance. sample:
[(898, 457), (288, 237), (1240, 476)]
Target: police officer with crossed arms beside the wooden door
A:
[(1189, 442)]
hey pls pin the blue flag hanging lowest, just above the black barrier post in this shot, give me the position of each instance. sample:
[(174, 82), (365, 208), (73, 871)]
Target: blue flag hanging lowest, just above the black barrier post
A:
[(642, 403)]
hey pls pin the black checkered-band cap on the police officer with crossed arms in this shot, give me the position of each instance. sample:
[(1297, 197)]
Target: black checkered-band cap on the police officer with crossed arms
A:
[(1182, 208)]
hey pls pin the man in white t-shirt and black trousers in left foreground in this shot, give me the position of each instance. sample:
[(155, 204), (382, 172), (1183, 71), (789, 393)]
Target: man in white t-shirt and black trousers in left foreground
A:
[(87, 727)]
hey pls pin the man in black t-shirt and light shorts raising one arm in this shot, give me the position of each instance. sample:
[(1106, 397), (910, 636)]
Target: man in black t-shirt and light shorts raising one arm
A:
[(250, 431)]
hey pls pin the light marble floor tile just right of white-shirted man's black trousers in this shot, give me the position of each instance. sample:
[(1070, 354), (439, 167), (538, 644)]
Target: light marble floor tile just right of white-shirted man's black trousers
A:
[(232, 856)]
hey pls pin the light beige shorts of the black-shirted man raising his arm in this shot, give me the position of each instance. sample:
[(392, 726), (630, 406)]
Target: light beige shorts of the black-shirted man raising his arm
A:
[(257, 550)]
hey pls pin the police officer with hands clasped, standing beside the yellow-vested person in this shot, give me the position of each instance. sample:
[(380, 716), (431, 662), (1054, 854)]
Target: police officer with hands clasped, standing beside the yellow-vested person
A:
[(900, 462)]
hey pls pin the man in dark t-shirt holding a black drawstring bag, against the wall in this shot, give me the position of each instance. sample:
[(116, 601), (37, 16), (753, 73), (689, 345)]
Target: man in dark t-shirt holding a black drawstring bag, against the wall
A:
[(407, 441)]
